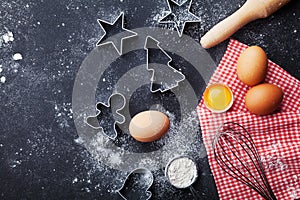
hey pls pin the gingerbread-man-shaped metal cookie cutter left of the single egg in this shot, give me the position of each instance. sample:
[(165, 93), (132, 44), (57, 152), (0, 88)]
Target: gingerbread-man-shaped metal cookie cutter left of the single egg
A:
[(105, 119)]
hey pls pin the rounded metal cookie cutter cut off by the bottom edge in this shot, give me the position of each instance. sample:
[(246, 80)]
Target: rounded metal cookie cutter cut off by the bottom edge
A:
[(137, 183)]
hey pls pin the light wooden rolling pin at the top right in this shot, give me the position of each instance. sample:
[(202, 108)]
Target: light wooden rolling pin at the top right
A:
[(251, 10)]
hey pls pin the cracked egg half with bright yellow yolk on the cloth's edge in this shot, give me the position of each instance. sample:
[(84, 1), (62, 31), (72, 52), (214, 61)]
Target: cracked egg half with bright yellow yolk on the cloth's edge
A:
[(217, 96)]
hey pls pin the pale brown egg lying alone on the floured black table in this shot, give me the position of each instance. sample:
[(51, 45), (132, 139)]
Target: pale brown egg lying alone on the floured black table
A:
[(149, 126)]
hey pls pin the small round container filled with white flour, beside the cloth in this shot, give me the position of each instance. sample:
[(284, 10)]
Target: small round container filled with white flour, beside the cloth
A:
[(182, 172)]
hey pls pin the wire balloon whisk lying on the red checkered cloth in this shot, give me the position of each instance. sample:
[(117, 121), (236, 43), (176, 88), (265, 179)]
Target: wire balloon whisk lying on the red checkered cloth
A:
[(236, 154)]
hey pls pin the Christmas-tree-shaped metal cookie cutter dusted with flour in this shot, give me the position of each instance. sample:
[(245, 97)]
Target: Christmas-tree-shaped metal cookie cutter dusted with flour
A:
[(170, 77)]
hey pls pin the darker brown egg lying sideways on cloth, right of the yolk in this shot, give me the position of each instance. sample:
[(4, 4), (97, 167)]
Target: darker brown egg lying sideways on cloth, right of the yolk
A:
[(263, 99)]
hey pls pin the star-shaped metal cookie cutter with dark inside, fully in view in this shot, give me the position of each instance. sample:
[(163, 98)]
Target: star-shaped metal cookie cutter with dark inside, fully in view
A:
[(119, 20)]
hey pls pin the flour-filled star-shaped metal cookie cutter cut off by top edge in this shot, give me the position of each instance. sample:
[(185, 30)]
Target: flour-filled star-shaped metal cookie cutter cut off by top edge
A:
[(179, 19)]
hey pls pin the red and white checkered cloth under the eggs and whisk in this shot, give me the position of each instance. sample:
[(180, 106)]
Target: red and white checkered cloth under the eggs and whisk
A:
[(276, 136)]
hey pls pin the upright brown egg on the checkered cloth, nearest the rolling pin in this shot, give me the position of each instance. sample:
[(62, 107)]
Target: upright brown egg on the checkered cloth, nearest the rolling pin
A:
[(252, 66)]
